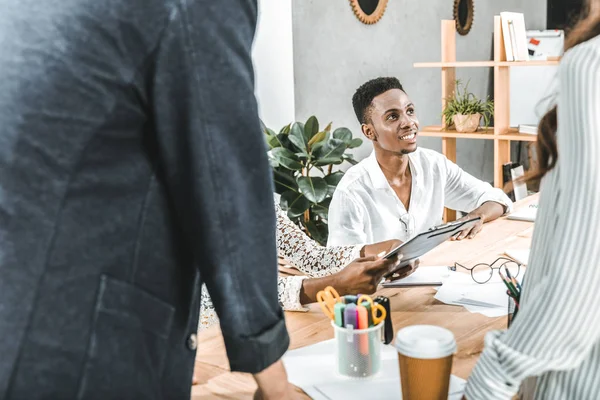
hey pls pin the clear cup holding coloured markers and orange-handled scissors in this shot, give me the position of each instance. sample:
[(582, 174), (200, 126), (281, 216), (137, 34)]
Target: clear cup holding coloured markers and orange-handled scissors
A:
[(358, 351)]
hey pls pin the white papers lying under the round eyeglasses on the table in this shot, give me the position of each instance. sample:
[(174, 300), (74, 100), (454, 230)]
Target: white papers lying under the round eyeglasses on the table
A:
[(489, 299)]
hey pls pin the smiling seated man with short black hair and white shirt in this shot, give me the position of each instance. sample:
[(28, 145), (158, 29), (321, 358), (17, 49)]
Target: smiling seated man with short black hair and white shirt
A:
[(401, 190)]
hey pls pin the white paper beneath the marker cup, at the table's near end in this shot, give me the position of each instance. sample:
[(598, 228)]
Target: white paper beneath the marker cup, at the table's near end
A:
[(312, 369)]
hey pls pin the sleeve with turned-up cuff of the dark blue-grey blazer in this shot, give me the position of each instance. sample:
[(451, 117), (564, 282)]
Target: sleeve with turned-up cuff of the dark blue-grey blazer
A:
[(216, 170)]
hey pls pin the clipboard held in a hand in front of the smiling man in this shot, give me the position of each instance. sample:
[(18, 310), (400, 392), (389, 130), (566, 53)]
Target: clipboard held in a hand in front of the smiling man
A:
[(427, 241)]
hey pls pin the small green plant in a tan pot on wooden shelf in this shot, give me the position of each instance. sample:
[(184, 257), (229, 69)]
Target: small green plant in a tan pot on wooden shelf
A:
[(464, 111)]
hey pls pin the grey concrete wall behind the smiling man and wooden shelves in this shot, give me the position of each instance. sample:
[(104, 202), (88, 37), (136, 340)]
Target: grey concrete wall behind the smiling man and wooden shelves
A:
[(334, 53)]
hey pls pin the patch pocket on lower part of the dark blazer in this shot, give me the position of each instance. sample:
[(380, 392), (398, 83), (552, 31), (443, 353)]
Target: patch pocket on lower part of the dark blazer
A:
[(128, 343)]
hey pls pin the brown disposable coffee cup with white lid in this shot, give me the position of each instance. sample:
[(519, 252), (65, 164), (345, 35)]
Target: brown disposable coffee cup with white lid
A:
[(425, 359)]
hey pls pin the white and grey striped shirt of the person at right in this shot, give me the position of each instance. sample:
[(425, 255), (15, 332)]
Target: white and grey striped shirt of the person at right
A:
[(559, 323)]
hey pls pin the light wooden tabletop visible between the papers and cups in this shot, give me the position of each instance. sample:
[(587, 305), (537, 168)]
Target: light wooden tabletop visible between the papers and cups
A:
[(409, 307)]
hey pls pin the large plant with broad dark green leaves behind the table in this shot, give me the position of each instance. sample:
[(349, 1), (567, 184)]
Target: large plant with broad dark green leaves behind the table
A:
[(302, 157)]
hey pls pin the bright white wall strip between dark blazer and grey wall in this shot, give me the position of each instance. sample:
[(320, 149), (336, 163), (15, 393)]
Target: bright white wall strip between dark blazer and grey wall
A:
[(274, 63)]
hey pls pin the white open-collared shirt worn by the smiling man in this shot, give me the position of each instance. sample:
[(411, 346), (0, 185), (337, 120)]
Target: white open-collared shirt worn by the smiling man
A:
[(365, 208)]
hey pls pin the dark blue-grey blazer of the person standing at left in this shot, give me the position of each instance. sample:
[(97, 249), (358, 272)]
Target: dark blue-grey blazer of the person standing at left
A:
[(132, 168)]
